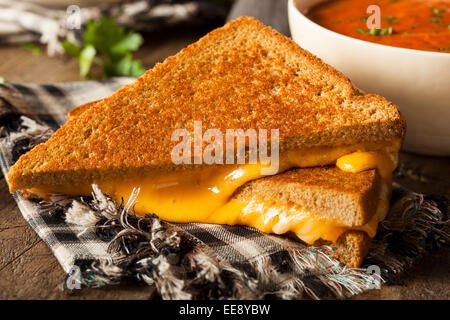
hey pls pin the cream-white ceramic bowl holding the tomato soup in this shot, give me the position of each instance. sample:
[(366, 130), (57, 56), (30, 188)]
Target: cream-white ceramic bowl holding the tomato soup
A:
[(417, 81)]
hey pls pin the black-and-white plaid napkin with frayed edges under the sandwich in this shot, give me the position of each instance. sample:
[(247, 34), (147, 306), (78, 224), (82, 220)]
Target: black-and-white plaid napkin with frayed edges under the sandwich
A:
[(100, 242)]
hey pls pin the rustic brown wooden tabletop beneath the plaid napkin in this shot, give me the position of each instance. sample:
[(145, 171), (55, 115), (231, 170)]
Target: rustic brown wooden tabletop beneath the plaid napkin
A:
[(28, 269)]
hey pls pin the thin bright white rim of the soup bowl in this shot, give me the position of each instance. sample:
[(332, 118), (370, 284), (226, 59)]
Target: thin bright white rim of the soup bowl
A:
[(292, 6)]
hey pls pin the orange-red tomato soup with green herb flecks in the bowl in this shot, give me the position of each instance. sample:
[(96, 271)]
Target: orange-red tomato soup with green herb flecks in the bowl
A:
[(412, 24)]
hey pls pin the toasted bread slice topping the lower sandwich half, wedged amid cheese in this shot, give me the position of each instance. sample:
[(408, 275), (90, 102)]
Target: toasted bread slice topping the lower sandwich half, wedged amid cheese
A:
[(349, 199)]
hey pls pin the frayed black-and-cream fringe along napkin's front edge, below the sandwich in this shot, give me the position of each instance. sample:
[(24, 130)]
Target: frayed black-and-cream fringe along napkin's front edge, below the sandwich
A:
[(180, 267)]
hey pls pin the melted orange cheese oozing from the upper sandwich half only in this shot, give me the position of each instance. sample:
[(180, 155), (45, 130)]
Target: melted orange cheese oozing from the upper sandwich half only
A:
[(195, 195)]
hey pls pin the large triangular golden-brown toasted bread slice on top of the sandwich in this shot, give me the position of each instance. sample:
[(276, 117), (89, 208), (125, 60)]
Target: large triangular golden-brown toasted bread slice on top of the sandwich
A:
[(243, 75)]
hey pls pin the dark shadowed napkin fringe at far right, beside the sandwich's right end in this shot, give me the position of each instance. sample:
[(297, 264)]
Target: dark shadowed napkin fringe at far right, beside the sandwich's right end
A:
[(416, 225)]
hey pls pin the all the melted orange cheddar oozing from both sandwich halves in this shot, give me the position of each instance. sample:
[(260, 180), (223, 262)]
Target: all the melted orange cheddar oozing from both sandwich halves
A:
[(203, 195)]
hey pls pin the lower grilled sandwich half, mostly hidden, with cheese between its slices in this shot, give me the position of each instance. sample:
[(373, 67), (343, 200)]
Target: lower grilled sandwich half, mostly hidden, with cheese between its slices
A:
[(335, 208)]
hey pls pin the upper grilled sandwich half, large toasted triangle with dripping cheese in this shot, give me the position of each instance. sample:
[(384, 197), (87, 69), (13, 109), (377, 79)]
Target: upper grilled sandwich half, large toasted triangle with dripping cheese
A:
[(241, 76)]
